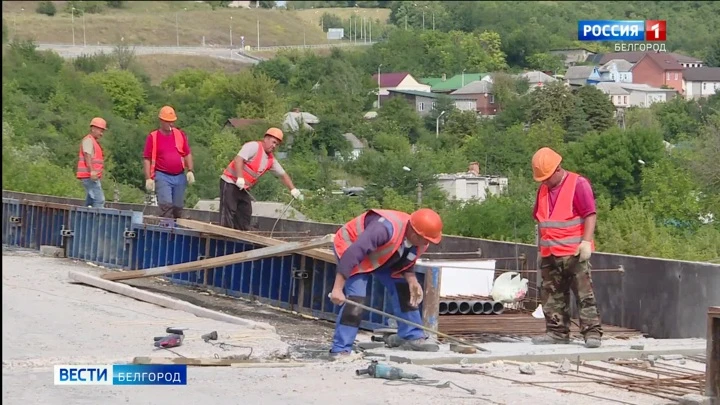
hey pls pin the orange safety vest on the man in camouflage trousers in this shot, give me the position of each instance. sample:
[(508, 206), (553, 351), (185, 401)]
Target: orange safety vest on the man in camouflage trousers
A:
[(560, 232)]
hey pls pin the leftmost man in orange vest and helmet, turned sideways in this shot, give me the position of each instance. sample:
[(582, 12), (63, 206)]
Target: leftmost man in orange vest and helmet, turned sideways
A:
[(91, 163)]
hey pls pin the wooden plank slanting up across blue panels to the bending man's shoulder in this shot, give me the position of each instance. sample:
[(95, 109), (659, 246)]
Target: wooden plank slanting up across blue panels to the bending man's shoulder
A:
[(247, 256)]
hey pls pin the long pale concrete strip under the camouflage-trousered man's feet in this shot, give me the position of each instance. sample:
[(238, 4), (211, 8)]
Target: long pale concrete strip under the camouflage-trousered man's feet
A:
[(527, 352)]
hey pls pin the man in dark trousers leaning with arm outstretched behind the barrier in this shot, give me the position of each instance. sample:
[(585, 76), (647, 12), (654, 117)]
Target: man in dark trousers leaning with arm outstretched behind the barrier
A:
[(253, 160)]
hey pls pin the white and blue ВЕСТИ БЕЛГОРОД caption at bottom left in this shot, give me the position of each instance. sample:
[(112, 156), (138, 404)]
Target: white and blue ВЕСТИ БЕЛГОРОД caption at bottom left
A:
[(121, 374)]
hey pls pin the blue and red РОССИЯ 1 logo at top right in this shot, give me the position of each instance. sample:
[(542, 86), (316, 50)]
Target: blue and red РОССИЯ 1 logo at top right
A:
[(622, 30)]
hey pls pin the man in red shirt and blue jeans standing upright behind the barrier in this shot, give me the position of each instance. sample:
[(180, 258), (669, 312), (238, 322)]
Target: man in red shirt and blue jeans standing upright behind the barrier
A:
[(168, 164)]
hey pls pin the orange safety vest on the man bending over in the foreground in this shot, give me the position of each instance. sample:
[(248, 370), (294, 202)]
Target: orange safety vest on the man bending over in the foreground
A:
[(349, 233)]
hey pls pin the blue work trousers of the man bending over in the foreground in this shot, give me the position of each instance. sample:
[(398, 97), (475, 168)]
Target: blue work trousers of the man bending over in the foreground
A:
[(356, 286)]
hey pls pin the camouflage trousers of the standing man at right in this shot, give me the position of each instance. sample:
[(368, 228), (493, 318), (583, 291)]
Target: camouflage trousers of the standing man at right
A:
[(560, 275)]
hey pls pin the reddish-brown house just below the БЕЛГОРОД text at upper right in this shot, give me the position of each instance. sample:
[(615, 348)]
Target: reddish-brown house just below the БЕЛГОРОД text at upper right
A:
[(658, 69)]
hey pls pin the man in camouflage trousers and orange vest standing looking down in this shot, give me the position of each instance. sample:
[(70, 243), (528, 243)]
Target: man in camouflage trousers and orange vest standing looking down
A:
[(566, 216)]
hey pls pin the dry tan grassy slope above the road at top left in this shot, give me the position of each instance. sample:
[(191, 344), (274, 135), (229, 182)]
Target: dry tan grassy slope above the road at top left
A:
[(154, 23)]
